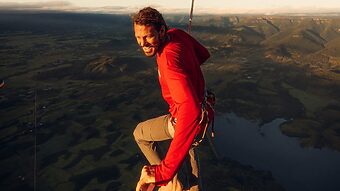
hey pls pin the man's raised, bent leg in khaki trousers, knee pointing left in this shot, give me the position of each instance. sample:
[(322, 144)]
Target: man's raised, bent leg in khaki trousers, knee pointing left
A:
[(147, 132)]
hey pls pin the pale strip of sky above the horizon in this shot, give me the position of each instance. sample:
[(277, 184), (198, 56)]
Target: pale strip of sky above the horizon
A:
[(201, 6)]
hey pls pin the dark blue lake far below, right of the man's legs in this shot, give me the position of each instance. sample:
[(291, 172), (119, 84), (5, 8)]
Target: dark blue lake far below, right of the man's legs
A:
[(266, 148)]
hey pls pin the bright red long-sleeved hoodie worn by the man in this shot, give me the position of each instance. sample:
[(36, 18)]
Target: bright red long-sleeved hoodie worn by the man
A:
[(182, 85)]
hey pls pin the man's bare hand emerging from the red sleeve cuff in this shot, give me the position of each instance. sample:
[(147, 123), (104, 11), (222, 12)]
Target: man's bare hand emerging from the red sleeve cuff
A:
[(147, 179)]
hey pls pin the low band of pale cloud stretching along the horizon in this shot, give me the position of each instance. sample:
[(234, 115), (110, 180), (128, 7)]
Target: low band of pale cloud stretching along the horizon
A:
[(63, 5)]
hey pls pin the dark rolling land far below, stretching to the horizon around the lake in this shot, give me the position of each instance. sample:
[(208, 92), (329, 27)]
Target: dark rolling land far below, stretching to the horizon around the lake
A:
[(90, 85)]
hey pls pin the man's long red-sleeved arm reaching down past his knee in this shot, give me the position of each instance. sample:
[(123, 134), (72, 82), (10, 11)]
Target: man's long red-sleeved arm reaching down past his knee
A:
[(187, 125)]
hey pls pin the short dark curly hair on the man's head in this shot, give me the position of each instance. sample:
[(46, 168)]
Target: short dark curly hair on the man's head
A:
[(150, 16)]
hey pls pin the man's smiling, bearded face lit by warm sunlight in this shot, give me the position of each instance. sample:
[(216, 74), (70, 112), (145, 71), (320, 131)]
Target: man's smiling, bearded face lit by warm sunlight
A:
[(148, 38)]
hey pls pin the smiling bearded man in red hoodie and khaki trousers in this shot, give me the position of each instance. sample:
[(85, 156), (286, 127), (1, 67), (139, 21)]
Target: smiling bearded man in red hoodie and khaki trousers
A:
[(179, 57)]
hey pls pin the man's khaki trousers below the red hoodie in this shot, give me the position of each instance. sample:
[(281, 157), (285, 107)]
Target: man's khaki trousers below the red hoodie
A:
[(159, 129)]
